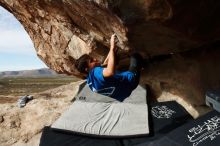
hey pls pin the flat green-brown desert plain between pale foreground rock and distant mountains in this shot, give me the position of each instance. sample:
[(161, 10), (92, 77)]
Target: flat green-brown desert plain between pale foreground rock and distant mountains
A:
[(19, 86)]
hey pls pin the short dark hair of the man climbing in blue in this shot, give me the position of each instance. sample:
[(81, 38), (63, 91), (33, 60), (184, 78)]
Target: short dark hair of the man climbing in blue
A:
[(81, 64)]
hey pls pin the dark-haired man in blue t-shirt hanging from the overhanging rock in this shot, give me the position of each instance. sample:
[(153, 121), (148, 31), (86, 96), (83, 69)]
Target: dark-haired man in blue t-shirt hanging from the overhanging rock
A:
[(104, 79)]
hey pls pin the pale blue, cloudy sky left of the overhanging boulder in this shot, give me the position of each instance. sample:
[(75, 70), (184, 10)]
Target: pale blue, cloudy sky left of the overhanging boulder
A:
[(16, 48)]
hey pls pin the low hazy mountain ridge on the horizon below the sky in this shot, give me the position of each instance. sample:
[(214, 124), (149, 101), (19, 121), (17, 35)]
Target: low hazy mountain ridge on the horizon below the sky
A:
[(44, 72)]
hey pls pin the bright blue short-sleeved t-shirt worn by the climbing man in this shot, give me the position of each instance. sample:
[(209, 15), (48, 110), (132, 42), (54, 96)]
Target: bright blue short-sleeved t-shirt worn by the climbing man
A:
[(118, 86)]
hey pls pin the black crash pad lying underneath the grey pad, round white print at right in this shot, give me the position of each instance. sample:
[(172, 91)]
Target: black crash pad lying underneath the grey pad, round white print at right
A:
[(166, 117)]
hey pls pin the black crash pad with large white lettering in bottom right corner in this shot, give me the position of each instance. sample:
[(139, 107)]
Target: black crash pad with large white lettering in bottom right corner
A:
[(204, 131)]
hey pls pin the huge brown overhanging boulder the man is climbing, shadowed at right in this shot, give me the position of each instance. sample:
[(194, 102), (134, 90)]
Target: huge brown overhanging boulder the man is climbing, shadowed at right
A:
[(63, 30)]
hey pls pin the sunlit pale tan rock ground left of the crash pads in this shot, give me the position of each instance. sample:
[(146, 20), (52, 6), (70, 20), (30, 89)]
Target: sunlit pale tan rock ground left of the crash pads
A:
[(23, 126)]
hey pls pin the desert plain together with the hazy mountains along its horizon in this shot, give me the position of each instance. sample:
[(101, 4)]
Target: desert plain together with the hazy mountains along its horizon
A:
[(14, 84)]
